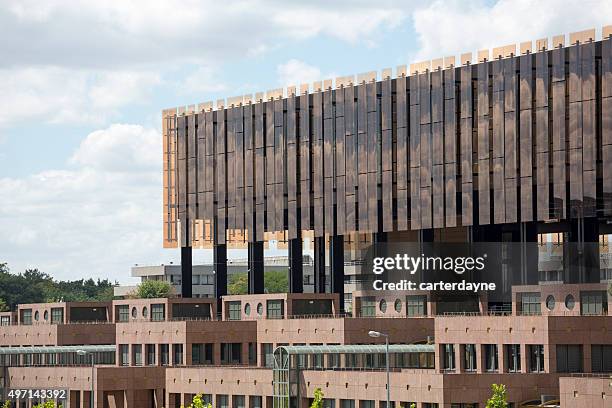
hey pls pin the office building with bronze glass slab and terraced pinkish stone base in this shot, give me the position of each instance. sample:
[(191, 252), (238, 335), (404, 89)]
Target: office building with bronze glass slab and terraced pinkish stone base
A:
[(510, 146)]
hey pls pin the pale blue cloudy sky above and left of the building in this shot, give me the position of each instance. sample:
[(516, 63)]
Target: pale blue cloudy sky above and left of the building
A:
[(83, 84)]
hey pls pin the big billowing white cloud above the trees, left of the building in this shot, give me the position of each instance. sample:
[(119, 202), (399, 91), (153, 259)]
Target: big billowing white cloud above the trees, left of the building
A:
[(95, 219)]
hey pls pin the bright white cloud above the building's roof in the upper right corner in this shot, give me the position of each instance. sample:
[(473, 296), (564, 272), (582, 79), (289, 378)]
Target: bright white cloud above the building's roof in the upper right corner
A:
[(455, 27)]
